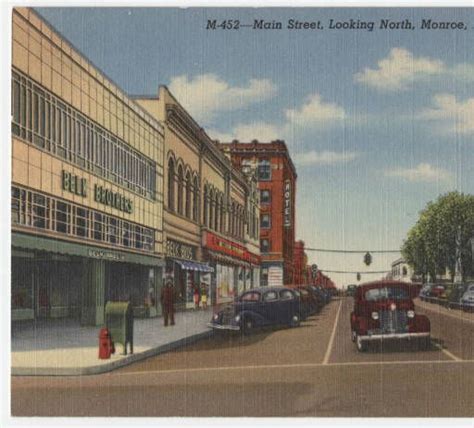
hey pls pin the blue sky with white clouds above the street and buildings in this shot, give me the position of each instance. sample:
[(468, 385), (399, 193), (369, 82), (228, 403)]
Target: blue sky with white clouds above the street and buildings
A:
[(378, 123)]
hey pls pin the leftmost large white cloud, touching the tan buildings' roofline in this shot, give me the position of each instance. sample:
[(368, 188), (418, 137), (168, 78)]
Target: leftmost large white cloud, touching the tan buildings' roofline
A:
[(205, 95)]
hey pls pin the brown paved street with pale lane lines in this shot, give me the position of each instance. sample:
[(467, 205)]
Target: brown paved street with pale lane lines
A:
[(313, 370)]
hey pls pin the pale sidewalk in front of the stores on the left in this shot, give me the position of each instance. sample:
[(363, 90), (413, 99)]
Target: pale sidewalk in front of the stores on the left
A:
[(63, 347)]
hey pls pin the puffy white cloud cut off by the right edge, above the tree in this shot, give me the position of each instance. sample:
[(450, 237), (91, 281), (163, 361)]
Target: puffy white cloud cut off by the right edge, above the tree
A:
[(451, 115)]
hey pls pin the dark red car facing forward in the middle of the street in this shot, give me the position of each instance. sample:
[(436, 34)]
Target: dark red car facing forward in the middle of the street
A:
[(384, 310)]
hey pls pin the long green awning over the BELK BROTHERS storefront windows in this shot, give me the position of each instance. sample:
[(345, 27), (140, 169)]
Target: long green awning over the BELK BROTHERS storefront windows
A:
[(39, 243)]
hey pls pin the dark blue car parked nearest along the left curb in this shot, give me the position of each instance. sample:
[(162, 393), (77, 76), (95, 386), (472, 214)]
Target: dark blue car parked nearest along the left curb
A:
[(260, 307)]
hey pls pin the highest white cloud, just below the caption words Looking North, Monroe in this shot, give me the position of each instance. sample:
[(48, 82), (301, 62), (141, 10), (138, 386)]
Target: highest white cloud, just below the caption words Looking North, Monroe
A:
[(399, 70)]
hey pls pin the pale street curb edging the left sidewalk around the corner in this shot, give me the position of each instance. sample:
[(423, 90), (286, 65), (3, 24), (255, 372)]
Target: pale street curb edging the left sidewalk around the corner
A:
[(104, 368)]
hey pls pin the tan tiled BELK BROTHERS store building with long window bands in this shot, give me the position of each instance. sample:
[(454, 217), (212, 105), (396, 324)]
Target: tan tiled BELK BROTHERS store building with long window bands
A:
[(87, 184)]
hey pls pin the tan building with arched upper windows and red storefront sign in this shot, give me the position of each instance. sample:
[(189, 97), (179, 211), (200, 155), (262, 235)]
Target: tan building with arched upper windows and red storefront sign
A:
[(208, 209)]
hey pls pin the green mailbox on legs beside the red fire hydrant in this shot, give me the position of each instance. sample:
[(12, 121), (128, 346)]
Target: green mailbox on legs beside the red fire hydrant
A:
[(119, 322)]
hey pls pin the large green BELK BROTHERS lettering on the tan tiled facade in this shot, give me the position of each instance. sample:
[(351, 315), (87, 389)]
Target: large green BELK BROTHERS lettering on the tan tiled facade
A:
[(78, 186)]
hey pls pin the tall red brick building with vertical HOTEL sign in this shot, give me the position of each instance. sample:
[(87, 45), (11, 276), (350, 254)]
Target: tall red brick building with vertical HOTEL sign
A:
[(276, 175)]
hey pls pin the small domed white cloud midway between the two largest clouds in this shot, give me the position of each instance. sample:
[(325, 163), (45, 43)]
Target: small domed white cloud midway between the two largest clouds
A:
[(314, 112)]
